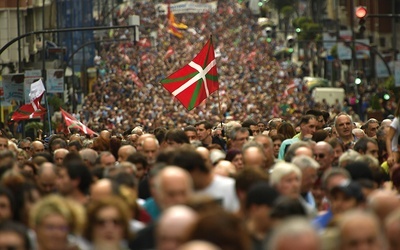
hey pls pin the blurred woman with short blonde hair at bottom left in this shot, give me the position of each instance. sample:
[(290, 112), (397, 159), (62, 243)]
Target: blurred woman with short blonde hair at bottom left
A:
[(58, 223)]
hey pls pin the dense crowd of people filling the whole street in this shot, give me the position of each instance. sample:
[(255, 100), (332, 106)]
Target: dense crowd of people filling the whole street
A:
[(275, 171)]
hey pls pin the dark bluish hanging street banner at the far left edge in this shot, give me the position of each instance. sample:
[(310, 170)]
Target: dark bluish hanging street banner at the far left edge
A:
[(13, 88)]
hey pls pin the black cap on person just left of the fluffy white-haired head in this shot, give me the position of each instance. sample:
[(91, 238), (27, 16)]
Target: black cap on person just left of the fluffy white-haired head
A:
[(261, 193)]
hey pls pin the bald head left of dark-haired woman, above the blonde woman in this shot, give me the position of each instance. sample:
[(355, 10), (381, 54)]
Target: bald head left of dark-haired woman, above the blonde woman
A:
[(46, 178)]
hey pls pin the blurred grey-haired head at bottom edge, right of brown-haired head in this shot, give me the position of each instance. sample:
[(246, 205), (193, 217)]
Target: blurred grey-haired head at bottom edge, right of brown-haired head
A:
[(293, 234)]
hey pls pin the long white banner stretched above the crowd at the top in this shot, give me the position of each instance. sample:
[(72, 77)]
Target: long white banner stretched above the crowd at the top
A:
[(186, 7)]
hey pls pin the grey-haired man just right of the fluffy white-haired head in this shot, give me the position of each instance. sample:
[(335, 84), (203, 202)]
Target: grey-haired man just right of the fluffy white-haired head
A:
[(309, 168)]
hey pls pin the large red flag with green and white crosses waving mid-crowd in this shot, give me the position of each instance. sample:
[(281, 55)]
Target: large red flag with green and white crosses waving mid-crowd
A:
[(196, 81)]
